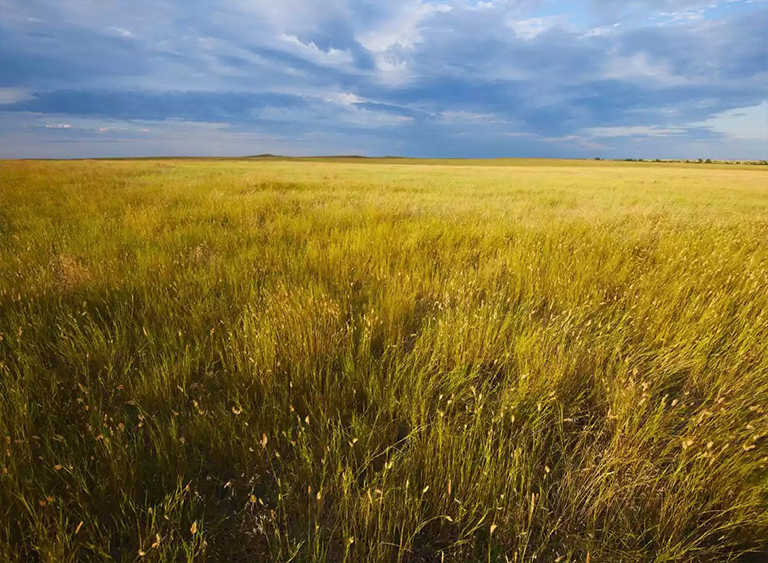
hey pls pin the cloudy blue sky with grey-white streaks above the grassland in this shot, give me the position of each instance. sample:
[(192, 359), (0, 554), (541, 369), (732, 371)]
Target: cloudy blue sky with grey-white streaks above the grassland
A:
[(421, 78)]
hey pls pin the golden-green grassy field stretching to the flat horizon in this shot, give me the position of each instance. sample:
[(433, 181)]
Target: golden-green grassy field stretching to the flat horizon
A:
[(276, 360)]
